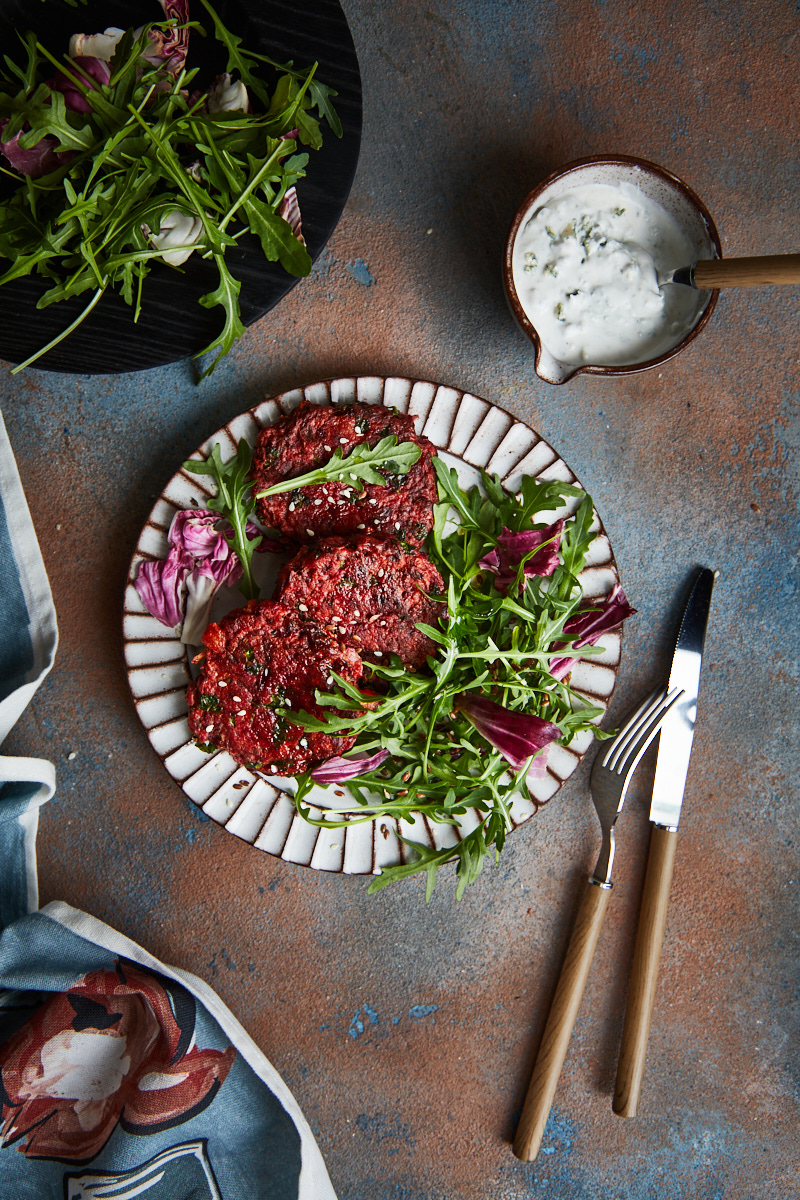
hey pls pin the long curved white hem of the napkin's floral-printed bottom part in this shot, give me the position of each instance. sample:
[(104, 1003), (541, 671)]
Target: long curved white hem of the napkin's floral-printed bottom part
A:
[(315, 1180)]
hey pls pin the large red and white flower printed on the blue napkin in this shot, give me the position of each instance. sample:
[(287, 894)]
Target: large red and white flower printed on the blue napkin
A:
[(117, 1048)]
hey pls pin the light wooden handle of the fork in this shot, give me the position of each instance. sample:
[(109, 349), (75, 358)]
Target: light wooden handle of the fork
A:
[(561, 1022)]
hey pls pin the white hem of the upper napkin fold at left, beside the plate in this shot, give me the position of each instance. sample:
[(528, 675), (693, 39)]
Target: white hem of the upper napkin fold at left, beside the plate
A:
[(33, 580)]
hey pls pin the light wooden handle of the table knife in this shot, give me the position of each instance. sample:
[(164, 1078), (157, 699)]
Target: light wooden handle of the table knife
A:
[(645, 974)]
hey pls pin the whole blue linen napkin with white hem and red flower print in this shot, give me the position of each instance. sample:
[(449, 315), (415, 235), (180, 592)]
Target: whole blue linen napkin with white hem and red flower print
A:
[(119, 1076)]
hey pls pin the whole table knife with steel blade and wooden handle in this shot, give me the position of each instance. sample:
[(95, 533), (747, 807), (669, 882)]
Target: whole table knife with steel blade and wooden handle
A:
[(672, 767)]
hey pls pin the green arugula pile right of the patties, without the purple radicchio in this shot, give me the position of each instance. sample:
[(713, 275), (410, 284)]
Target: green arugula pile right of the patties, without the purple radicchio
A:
[(489, 645)]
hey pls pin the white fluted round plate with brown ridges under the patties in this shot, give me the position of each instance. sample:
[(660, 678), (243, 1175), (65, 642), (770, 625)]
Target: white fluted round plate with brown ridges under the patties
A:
[(470, 434)]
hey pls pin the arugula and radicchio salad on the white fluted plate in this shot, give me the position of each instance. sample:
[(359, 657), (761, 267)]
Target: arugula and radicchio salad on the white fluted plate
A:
[(455, 741)]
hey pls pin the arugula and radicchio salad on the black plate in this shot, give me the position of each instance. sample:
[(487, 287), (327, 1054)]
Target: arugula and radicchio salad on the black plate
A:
[(125, 159)]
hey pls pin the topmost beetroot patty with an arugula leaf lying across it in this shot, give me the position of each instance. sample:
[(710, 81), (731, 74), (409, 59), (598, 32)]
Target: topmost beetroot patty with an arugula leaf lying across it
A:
[(306, 440)]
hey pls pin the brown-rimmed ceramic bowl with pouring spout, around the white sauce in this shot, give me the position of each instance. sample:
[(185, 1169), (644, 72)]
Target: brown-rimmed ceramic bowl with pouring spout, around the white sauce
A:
[(658, 185)]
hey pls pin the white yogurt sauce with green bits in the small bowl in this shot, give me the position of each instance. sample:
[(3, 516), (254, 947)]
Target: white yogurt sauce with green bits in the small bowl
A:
[(586, 269)]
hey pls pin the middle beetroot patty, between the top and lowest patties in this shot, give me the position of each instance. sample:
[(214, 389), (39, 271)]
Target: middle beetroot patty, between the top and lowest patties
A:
[(369, 591)]
